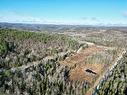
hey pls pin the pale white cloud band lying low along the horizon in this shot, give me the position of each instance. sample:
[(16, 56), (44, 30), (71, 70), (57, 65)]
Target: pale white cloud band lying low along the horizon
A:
[(14, 17)]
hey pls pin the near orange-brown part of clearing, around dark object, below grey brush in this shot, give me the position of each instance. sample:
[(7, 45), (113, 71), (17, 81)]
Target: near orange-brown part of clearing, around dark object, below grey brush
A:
[(85, 72)]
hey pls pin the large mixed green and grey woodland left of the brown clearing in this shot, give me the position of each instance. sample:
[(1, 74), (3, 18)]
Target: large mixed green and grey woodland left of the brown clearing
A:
[(20, 49)]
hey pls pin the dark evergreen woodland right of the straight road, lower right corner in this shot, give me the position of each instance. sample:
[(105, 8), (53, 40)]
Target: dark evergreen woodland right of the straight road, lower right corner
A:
[(116, 82)]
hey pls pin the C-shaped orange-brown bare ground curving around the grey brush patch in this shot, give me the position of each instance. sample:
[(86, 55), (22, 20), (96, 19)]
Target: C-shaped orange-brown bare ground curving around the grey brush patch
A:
[(82, 71)]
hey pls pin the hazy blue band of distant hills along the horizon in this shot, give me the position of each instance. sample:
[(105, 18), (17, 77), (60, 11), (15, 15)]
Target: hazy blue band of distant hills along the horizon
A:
[(55, 28)]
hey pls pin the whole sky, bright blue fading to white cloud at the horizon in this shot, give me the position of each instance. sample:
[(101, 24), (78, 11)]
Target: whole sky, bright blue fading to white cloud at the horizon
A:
[(79, 12)]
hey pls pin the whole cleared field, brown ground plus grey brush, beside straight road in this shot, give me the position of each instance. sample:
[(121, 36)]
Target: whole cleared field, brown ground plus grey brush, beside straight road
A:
[(90, 63)]
